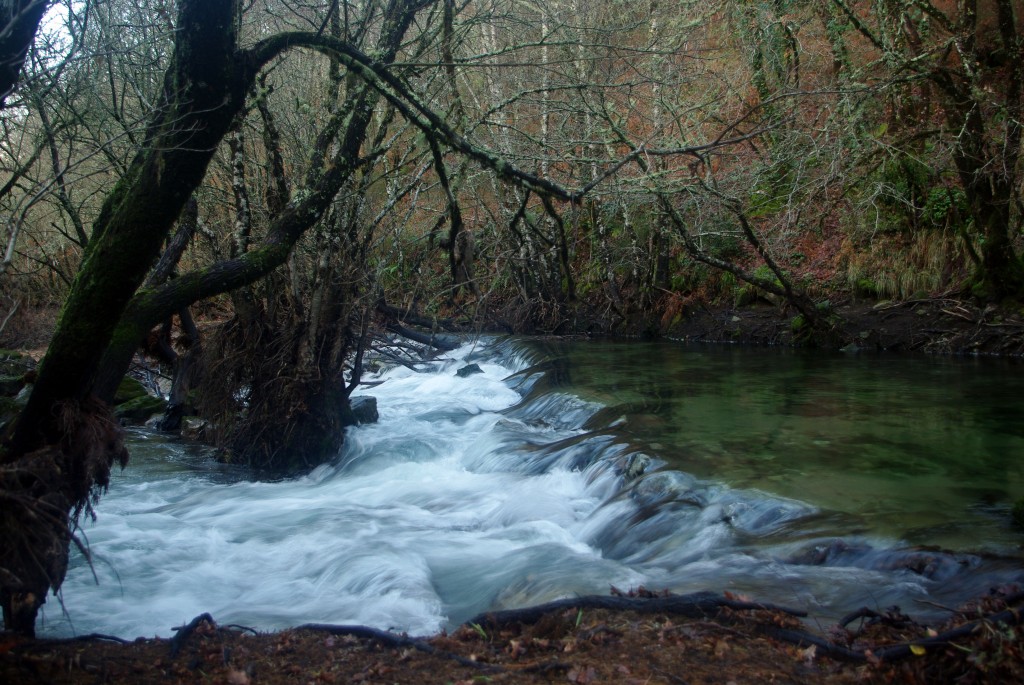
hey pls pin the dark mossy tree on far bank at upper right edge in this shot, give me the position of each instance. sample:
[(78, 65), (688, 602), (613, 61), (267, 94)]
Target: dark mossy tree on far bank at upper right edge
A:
[(971, 56)]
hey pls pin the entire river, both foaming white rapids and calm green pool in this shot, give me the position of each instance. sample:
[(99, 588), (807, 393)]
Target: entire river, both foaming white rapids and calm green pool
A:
[(823, 482)]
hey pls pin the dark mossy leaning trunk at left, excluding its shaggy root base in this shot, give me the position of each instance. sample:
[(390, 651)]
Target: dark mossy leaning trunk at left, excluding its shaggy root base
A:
[(203, 92)]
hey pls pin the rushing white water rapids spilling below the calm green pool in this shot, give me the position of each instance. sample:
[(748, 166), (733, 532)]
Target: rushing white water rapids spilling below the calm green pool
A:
[(471, 494)]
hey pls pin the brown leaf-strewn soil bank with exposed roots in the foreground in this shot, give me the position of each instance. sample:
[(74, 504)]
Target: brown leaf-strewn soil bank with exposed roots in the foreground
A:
[(564, 647)]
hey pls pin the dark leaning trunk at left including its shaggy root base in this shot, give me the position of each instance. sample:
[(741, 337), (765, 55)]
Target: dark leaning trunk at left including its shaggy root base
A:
[(76, 434)]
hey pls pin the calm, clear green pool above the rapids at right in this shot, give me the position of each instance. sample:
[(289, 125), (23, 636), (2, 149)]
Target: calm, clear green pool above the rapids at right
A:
[(923, 450)]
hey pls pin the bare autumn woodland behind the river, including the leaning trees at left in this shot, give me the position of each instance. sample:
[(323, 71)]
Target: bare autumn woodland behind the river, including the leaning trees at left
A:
[(250, 192)]
